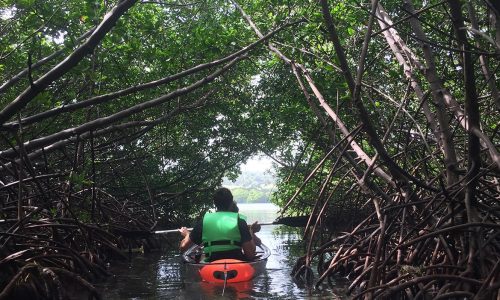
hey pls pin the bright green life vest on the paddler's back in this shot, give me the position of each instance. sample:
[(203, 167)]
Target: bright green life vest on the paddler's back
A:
[(220, 232)]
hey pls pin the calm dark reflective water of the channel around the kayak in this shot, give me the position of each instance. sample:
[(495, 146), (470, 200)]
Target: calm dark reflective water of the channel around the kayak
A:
[(160, 275)]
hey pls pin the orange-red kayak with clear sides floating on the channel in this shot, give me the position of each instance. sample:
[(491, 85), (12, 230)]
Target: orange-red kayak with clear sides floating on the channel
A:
[(224, 270)]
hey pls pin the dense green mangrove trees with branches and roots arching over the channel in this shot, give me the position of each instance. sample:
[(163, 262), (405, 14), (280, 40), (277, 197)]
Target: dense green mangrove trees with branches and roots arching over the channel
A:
[(119, 117)]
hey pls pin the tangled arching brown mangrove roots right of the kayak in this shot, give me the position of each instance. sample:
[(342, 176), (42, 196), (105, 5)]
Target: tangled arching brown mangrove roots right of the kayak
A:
[(433, 254)]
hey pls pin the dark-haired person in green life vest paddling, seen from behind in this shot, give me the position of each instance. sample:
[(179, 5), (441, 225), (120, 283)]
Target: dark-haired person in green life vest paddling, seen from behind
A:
[(224, 234)]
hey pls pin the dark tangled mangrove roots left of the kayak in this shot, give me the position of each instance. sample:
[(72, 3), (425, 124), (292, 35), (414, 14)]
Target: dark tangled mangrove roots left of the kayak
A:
[(43, 257)]
